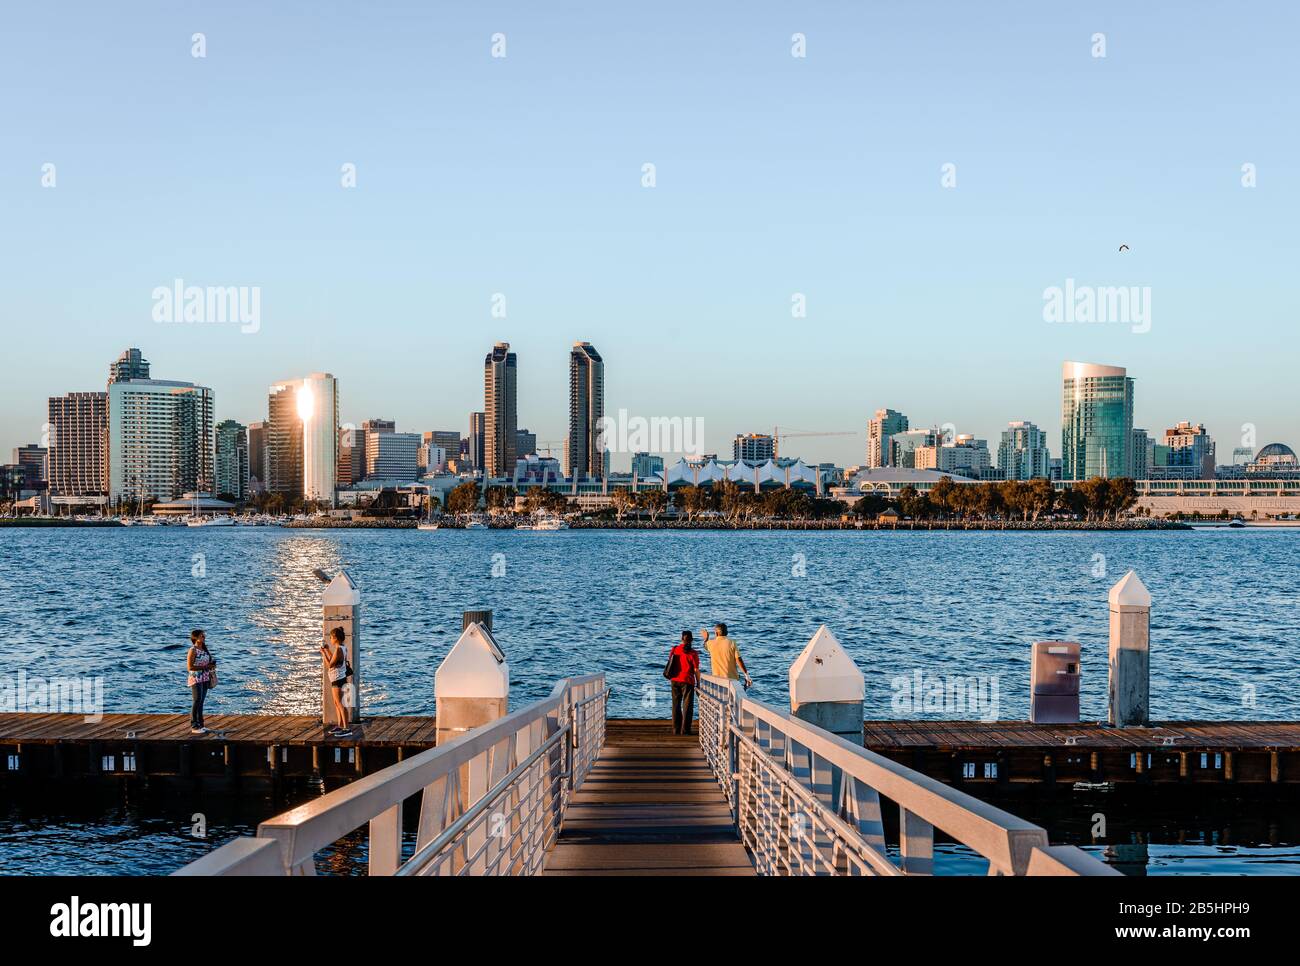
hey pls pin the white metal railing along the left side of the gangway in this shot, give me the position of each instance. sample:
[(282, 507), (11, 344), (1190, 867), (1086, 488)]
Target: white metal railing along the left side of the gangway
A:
[(492, 802)]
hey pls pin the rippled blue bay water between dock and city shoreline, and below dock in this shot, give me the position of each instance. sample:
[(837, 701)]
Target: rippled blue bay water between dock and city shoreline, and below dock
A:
[(120, 604)]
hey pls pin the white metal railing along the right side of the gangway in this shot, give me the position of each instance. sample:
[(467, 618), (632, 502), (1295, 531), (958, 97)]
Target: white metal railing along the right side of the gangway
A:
[(809, 803)]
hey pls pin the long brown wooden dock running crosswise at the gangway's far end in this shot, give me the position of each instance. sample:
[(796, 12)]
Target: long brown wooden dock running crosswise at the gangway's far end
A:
[(961, 753)]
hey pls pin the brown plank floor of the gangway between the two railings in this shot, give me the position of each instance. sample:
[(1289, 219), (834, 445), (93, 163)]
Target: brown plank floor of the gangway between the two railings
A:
[(649, 807)]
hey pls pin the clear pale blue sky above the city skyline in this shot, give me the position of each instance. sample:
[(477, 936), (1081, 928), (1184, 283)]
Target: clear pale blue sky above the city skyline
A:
[(775, 175)]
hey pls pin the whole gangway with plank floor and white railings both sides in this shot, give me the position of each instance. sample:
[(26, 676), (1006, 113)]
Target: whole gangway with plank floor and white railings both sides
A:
[(551, 790)]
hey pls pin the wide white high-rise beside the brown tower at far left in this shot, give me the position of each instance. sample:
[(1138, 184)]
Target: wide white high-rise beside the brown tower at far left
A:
[(161, 440)]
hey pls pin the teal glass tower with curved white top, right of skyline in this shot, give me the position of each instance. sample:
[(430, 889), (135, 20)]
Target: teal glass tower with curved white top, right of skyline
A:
[(1097, 422)]
